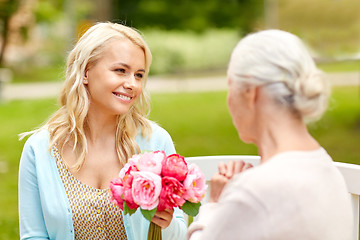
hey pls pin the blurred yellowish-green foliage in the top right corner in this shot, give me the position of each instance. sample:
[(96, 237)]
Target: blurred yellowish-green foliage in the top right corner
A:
[(331, 27)]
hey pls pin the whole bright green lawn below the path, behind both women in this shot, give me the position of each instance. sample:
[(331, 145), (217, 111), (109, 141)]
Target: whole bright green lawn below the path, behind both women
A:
[(199, 124)]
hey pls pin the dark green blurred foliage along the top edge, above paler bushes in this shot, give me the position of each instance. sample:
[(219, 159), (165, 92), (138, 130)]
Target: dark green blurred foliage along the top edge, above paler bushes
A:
[(196, 15)]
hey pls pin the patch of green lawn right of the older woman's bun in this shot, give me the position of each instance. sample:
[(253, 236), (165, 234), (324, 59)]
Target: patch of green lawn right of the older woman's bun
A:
[(339, 130)]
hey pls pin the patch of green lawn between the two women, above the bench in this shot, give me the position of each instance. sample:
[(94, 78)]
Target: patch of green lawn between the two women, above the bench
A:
[(199, 123)]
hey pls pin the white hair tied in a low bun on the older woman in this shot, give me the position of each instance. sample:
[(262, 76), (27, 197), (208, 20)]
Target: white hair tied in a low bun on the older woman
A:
[(280, 61)]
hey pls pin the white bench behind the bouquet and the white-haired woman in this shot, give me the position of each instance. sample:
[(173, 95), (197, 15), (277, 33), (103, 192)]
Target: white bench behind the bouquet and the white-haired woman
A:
[(351, 173)]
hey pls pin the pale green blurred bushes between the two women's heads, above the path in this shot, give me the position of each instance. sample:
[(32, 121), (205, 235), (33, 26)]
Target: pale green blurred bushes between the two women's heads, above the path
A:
[(185, 52)]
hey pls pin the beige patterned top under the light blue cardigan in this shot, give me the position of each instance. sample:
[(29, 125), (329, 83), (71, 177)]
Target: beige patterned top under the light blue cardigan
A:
[(94, 216)]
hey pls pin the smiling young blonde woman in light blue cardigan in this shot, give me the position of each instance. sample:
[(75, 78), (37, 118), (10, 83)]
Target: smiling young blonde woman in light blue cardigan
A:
[(67, 164)]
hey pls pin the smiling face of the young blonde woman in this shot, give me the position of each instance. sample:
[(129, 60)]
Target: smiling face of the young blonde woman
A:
[(115, 80)]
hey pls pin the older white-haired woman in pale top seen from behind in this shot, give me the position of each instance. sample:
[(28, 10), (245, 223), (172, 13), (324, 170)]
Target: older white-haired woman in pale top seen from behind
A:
[(296, 192)]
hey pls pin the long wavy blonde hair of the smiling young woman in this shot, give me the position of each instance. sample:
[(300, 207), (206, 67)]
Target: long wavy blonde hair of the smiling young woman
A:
[(68, 124)]
